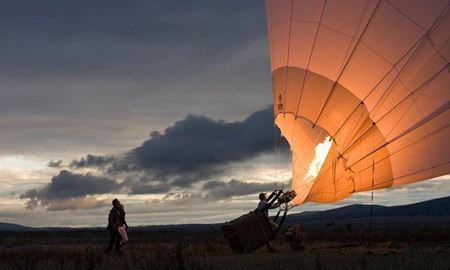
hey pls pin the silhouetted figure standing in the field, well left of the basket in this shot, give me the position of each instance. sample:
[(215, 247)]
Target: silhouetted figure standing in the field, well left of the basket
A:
[(116, 223)]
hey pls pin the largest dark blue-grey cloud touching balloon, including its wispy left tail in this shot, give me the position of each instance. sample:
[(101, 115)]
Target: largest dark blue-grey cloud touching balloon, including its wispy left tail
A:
[(191, 150)]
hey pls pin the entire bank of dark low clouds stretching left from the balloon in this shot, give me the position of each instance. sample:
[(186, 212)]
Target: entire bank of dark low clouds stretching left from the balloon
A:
[(192, 150)]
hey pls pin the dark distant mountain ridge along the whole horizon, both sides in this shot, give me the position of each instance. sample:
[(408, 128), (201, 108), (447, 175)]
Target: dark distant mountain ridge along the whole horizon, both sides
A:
[(432, 208)]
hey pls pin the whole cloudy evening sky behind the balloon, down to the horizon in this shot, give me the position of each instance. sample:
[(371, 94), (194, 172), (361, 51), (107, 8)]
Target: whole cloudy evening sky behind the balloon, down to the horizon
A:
[(165, 105)]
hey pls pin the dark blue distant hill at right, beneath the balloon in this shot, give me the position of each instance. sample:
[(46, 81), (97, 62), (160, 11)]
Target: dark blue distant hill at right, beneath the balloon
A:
[(432, 208)]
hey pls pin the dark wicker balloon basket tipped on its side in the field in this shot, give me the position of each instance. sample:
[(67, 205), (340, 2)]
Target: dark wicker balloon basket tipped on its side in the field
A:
[(248, 232)]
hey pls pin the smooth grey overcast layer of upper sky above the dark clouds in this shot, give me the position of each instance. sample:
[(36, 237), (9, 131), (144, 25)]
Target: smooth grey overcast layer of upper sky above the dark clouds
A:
[(106, 70)]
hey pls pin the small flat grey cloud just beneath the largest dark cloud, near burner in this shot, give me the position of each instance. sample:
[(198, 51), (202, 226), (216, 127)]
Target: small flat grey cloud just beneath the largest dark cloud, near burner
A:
[(224, 190)]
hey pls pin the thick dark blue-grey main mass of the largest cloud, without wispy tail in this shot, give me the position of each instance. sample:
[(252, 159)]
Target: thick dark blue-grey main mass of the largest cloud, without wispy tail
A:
[(198, 147)]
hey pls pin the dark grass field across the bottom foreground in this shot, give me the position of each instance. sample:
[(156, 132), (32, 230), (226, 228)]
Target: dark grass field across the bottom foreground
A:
[(324, 248)]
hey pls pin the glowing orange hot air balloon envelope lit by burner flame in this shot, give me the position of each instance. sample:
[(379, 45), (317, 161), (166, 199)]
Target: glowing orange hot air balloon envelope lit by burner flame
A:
[(361, 92)]
